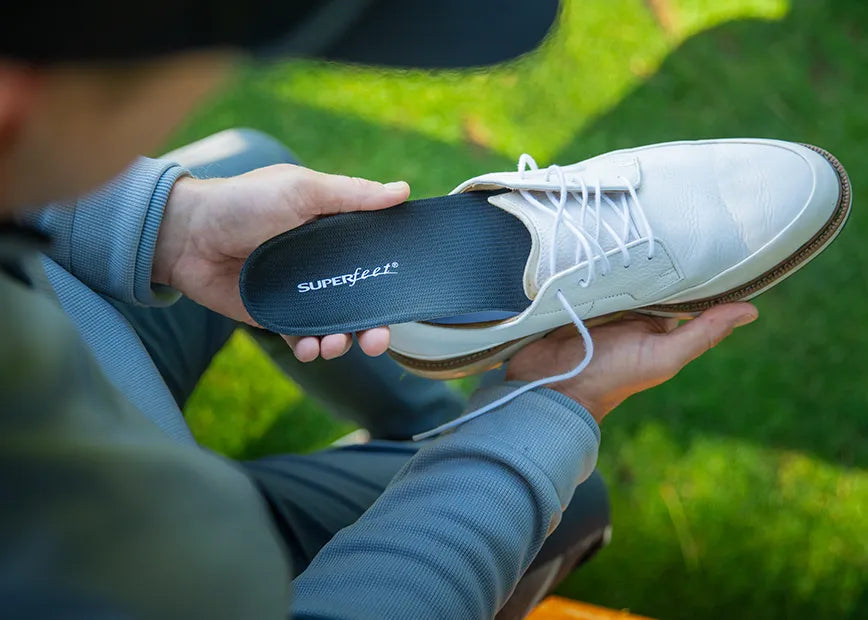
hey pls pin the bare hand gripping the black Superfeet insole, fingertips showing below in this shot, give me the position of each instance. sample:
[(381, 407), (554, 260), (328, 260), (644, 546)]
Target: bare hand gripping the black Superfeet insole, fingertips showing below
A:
[(211, 226)]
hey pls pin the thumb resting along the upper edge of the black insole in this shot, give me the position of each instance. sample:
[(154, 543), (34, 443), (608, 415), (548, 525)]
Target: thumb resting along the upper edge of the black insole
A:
[(328, 194)]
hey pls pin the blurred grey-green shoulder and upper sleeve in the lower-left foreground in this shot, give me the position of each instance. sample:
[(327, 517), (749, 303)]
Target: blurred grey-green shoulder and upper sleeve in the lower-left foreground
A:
[(103, 515)]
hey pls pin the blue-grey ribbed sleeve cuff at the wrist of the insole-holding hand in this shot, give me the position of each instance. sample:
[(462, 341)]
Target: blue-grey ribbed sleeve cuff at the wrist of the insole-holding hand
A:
[(107, 241)]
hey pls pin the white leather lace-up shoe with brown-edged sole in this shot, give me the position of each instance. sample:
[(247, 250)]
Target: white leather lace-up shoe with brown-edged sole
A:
[(668, 229)]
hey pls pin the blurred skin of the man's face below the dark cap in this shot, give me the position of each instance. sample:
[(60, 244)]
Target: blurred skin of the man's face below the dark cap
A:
[(65, 128)]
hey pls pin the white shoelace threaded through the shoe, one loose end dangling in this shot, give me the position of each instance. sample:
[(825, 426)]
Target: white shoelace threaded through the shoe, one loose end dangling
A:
[(588, 248)]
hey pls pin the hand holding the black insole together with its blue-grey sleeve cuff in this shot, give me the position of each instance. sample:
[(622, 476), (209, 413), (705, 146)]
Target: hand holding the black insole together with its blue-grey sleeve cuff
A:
[(145, 238)]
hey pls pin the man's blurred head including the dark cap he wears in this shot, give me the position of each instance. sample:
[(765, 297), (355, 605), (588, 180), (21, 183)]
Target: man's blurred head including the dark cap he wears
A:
[(85, 86)]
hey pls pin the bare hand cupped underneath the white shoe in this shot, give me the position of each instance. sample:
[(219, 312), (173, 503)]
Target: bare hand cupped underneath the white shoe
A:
[(630, 355)]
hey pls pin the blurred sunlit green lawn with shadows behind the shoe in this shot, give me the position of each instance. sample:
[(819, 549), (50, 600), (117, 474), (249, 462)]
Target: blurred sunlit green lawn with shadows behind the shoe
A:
[(739, 489)]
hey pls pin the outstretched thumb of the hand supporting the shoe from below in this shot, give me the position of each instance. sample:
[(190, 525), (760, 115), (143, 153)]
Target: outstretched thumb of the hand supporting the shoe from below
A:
[(687, 342)]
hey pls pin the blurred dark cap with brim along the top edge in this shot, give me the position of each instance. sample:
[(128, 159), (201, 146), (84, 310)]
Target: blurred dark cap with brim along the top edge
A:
[(405, 33)]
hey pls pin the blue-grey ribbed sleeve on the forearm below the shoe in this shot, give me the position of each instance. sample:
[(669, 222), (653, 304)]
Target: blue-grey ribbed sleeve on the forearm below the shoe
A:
[(460, 523)]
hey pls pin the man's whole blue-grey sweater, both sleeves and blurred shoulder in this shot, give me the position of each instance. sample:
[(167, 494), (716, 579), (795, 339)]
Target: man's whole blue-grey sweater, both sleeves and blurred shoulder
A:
[(110, 505)]
